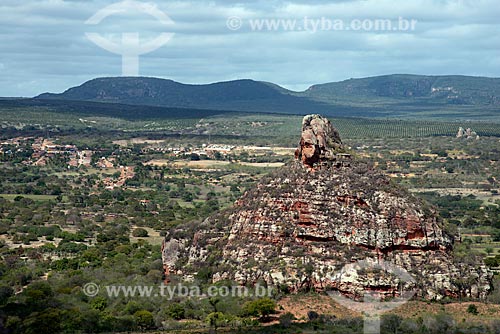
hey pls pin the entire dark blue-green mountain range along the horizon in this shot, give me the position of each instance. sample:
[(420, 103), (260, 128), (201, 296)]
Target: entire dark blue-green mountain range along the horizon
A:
[(383, 96)]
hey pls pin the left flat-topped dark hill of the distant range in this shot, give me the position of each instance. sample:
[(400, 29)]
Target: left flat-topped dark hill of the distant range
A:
[(240, 95)]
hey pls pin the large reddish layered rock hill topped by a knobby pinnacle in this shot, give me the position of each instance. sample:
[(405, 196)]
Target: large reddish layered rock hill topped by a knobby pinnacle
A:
[(302, 224)]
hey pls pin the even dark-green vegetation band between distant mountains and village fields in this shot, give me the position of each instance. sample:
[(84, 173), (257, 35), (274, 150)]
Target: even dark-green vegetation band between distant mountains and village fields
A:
[(249, 129)]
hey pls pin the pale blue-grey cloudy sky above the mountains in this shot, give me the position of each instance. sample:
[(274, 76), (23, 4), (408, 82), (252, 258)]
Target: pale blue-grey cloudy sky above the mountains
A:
[(45, 44)]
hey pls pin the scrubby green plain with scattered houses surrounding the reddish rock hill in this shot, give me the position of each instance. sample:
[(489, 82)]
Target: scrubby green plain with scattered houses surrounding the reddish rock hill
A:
[(63, 226)]
